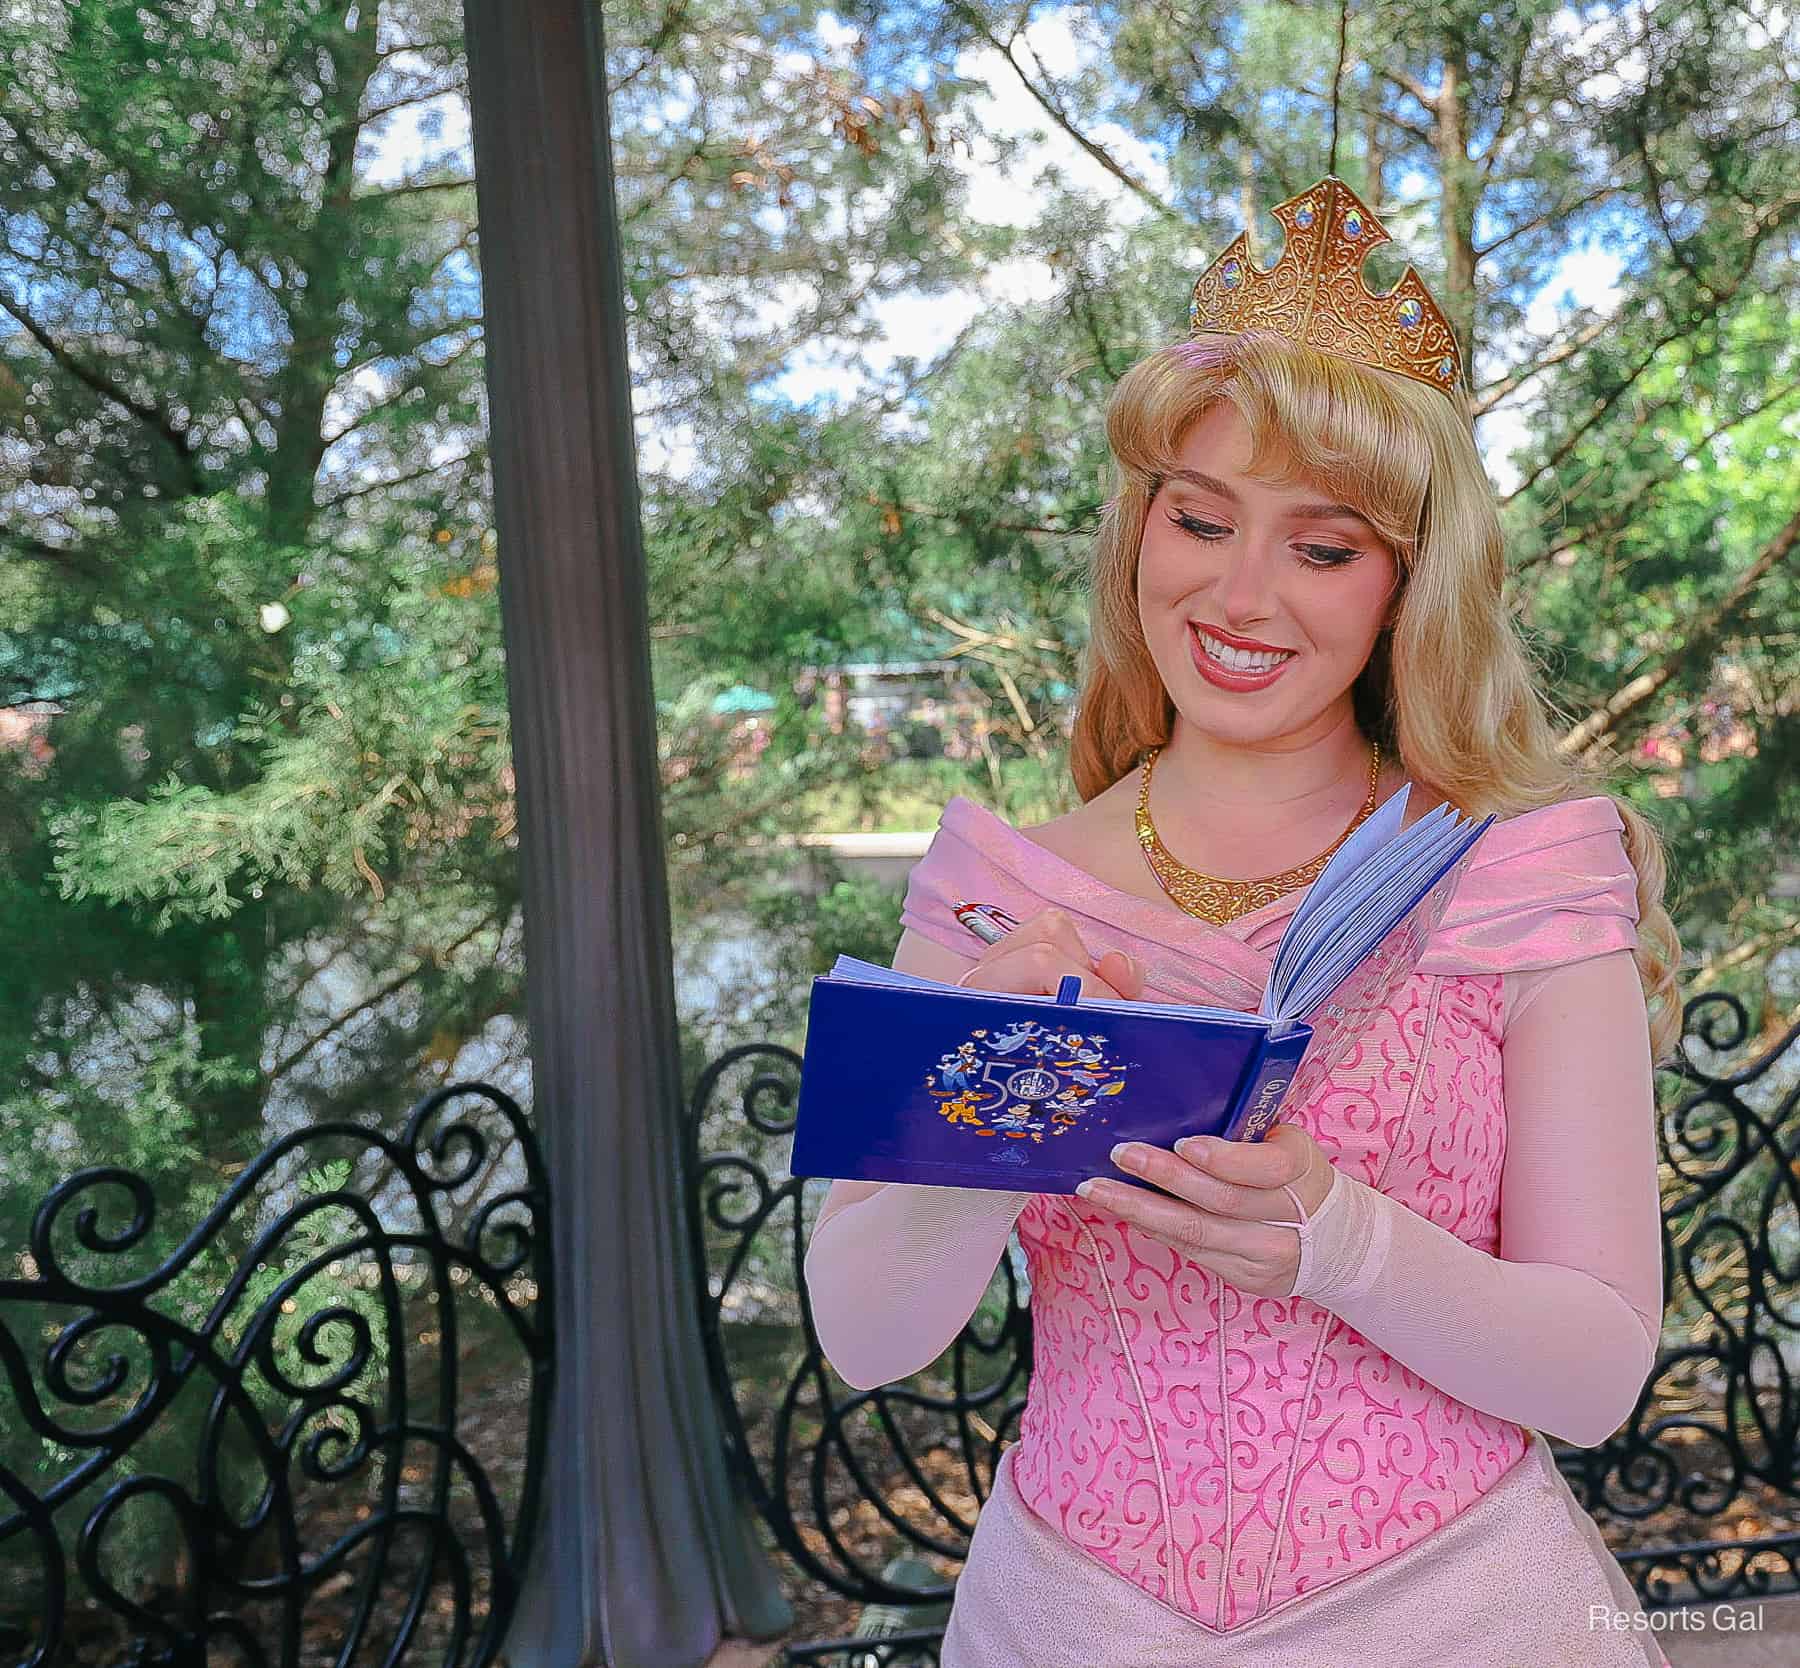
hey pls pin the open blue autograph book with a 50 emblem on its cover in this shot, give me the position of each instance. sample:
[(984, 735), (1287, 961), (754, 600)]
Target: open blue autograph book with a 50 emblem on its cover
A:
[(915, 1081)]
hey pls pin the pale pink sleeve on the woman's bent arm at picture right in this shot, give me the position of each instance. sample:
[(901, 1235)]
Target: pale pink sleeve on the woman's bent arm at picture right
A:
[(1560, 1331)]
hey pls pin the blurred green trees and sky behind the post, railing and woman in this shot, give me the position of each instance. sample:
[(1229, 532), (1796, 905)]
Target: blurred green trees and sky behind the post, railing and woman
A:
[(883, 265)]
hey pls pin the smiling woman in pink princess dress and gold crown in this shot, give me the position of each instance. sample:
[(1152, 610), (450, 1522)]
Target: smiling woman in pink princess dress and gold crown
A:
[(1291, 1408)]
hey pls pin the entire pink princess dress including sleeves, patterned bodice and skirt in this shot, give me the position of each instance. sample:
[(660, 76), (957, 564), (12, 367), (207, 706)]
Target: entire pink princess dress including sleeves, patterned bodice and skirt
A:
[(1354, 1473)]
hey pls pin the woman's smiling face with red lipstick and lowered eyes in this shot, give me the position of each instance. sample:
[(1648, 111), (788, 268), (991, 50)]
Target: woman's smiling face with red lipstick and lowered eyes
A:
[(1279, 566)]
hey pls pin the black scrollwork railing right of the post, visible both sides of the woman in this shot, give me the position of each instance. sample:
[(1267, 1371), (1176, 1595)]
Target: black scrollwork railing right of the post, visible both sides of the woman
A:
[(1698, 1493)]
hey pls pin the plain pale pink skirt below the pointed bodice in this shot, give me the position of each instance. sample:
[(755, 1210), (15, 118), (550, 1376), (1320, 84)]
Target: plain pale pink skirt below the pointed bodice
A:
[(1522, 1577)]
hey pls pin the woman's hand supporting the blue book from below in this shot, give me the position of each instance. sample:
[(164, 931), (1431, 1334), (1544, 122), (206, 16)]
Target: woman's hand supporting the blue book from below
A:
[(1228, 1212)]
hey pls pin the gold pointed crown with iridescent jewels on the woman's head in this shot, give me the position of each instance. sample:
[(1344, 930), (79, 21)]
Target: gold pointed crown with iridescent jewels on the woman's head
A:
[(1315, 294)]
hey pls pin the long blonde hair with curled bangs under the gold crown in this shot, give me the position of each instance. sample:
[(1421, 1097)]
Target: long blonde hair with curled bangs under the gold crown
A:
[(1448, 688)]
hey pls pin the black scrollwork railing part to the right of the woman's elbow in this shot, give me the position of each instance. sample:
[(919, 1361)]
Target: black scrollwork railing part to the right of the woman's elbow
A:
[(1716, 1437)]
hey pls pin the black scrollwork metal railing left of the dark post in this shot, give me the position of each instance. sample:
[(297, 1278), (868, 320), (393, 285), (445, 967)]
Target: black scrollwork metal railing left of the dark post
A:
[(260, 1442)]
